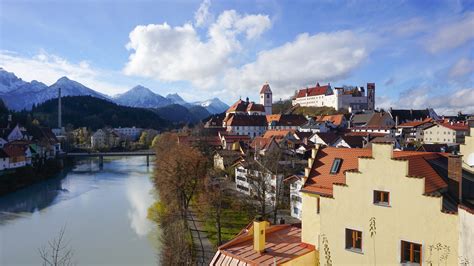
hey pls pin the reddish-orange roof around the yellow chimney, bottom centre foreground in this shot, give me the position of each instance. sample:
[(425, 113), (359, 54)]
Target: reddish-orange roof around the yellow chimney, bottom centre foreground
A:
[(283, 244)]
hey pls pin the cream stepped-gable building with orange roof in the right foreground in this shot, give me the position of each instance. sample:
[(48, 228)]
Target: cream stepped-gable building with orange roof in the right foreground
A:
[(386, 207)]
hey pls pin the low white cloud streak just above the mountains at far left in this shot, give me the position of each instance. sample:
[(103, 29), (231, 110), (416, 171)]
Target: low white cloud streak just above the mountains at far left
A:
[(48, 68)]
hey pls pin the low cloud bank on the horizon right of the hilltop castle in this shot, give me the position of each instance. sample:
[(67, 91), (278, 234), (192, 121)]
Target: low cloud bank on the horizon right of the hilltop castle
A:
[(421, 97)]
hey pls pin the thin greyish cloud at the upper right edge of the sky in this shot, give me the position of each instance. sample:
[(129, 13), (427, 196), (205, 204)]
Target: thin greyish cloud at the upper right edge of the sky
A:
[(452, 35)]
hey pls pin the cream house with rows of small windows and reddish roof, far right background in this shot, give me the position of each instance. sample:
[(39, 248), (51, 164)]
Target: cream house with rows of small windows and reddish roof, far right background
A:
[(447, 132)]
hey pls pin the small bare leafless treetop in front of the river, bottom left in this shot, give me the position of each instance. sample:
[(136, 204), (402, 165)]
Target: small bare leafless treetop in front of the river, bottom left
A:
[(57, 252)]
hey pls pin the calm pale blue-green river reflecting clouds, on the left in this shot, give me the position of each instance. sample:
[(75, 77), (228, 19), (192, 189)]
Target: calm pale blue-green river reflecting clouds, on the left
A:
[(103, 211)]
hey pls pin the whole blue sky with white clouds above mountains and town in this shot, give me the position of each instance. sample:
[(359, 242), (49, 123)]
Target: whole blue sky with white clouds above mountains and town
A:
[(419, 53)]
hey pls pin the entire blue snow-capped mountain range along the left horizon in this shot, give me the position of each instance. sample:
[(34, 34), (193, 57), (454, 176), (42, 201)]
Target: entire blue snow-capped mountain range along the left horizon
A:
[(18, 94)]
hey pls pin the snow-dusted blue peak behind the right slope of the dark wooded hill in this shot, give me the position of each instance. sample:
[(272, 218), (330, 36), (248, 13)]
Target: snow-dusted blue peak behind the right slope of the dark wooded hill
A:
[(140, 96)]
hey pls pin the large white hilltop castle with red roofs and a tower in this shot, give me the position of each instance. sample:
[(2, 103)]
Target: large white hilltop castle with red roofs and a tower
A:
[(352, 99)]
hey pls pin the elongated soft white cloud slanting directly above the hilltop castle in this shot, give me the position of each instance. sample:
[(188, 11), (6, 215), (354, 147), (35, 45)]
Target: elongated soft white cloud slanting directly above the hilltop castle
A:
[(306, 60)]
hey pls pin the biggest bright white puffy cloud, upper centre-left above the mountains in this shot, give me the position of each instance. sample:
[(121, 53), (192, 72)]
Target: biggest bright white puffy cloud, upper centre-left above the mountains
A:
[(169, 53)]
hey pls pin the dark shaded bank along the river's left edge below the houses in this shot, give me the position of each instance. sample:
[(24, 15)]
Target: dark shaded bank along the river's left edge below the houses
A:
[(18, 178)]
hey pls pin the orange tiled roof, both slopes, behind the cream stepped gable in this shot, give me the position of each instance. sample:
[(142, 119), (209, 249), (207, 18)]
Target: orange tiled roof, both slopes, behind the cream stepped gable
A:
[(321, 182)]
